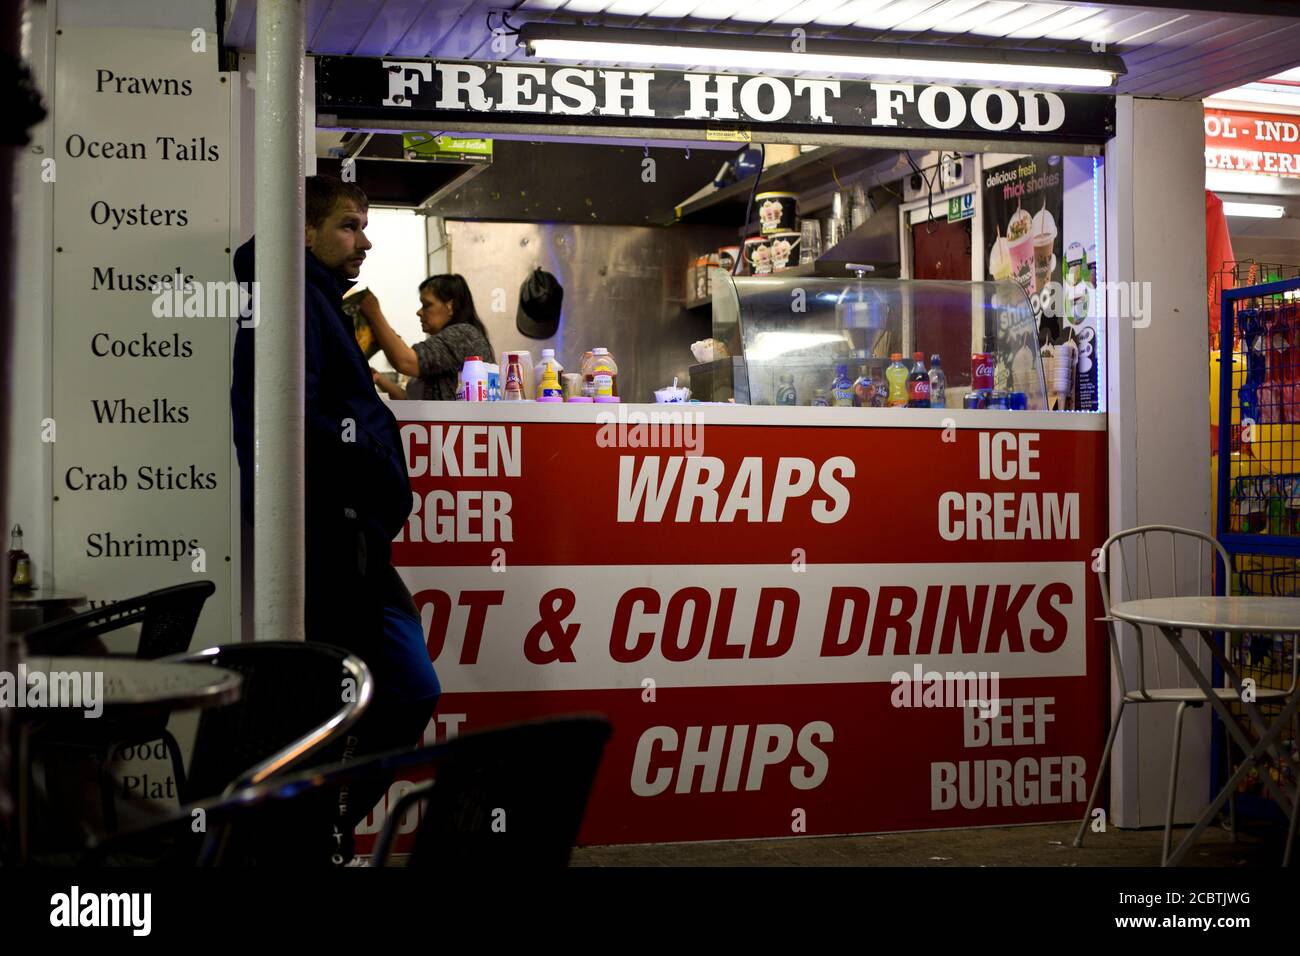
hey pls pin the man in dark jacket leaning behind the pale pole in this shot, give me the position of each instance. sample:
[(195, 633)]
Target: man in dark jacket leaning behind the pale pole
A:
[(357, 492)]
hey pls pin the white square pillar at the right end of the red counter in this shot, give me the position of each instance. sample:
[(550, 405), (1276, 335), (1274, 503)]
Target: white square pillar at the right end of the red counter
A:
[(1159, 408)]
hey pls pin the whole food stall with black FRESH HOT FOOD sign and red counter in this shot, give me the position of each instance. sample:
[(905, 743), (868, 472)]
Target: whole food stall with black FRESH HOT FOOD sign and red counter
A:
[(805, 607)]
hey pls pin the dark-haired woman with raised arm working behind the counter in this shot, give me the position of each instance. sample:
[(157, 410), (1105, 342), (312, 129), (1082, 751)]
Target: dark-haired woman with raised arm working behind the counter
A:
[(454, 331)]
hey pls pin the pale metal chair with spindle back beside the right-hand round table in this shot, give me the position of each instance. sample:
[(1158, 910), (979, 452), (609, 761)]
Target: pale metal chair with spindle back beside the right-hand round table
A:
[(1139, 583)]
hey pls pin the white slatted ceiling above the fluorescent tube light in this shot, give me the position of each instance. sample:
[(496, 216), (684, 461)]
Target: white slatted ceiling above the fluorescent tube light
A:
[(1169, 53)]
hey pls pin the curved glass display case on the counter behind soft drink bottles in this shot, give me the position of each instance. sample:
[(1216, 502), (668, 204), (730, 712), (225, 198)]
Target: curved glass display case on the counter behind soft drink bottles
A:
[(787, 338)]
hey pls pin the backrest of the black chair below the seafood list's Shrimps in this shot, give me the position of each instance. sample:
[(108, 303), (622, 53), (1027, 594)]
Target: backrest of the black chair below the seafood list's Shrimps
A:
[(167, 618)]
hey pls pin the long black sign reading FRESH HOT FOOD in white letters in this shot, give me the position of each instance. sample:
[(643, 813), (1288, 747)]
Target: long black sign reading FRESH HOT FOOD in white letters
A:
[(422, 92)]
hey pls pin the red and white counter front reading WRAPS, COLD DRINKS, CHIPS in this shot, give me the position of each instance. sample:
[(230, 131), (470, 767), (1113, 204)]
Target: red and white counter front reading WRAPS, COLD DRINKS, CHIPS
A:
[(792, 629)]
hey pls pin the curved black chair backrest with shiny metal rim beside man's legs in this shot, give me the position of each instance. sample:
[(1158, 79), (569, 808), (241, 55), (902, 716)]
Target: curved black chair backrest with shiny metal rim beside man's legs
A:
[(294, 702)]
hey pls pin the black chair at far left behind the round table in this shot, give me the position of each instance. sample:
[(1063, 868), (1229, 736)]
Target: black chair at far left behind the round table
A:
[(168, 618)]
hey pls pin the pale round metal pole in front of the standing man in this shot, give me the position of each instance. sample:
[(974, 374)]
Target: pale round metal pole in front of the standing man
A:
[(279, 352)]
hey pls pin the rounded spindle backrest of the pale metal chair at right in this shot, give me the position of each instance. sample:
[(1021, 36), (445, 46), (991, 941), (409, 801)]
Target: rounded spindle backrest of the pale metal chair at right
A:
[(1158, 561)]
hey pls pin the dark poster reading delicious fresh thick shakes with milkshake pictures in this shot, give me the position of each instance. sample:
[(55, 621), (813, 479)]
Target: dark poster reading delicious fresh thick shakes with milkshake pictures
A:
[(1022, 215)]
